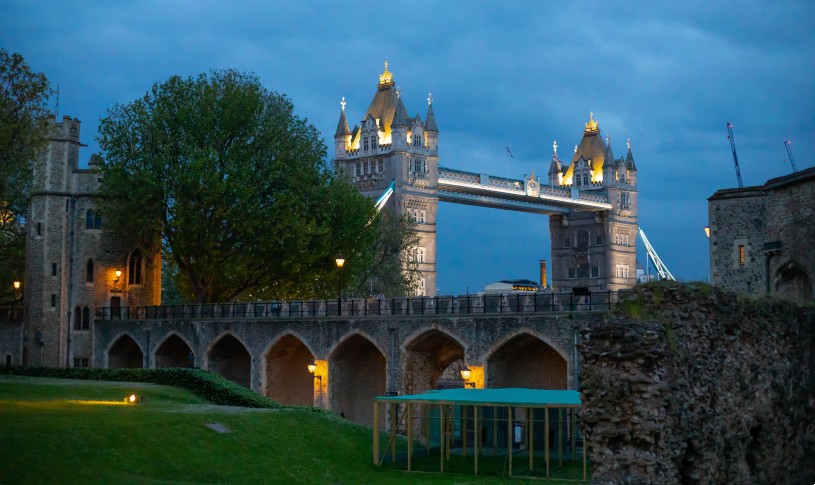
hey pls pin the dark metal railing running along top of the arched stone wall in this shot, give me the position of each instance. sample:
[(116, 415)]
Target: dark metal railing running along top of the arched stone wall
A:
[(361, 307)]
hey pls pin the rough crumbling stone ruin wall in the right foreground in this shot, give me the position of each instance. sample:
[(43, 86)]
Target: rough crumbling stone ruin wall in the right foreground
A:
[(688, 384)]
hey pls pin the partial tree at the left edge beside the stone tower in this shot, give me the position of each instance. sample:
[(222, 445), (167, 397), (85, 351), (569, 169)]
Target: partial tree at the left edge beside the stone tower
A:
[(23, 122)]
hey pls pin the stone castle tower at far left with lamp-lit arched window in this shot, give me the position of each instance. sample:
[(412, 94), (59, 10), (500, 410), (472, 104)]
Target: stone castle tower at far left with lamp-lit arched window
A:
[(72, 260)]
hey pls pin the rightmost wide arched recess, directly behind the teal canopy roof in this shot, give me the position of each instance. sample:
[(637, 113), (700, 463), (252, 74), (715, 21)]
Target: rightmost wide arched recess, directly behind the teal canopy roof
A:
[(527, 361)]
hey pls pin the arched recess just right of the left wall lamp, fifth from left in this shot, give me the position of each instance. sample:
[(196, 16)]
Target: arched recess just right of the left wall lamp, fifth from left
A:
[(356, 372)]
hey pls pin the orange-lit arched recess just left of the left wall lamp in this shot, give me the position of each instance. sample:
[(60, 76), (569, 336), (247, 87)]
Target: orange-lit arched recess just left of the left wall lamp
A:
[(288, 380)]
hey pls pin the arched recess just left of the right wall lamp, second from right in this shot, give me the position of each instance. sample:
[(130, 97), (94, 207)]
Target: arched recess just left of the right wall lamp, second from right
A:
[(432, 360)]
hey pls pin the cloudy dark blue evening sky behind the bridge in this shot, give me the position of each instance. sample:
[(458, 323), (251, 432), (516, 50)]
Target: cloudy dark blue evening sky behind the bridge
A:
[(667, 75)]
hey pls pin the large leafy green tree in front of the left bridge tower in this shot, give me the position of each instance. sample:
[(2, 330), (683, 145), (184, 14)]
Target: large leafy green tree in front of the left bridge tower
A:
[(234, 186)]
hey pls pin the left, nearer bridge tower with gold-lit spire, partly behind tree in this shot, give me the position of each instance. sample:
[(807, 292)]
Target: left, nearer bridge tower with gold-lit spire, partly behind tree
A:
[(389, 145)]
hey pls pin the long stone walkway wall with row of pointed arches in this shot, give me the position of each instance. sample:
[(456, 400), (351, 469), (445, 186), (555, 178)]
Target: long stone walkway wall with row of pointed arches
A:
[(267, 347)]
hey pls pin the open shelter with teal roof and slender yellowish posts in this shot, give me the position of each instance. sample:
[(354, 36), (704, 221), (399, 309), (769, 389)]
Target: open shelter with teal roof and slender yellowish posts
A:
[(464, 415)]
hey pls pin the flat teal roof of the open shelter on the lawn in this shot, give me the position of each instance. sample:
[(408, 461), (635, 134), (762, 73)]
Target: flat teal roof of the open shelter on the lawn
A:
[(489, 397)]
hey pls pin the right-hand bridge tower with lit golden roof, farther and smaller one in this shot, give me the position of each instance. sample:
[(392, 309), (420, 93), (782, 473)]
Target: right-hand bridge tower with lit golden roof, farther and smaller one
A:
[(595, 251)]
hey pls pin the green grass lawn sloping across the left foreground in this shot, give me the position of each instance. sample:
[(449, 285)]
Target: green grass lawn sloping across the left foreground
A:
[(73, 431)]
